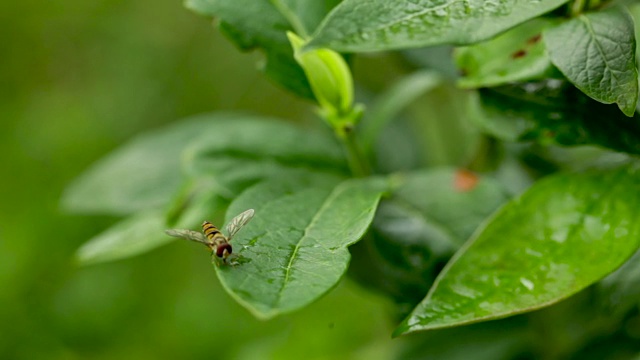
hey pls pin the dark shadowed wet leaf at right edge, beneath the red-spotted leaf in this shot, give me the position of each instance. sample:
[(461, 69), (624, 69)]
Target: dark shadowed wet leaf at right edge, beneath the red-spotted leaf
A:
[(554, 112)]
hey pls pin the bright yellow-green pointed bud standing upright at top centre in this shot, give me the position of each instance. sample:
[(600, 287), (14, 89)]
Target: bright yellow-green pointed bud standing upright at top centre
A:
[(329, 77)]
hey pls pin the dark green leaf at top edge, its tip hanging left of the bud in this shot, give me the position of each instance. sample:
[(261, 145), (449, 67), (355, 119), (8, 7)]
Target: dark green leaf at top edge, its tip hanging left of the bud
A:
[(262, 24)]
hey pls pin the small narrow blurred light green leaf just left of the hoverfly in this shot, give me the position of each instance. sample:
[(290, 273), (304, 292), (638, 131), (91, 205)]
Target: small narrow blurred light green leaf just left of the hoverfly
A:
[(135, 235)]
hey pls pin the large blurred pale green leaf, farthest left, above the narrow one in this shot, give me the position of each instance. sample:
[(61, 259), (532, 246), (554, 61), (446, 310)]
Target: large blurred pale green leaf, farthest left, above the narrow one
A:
[(143, 174)]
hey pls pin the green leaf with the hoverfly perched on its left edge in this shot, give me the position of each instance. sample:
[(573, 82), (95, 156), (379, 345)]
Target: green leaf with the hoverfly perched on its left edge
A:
[(295, 248)]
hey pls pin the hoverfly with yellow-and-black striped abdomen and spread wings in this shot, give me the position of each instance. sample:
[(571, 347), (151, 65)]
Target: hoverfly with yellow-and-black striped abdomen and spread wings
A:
[(214, 239)]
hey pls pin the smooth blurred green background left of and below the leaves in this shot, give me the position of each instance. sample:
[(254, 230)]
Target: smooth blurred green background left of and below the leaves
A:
[(78, 79)]
